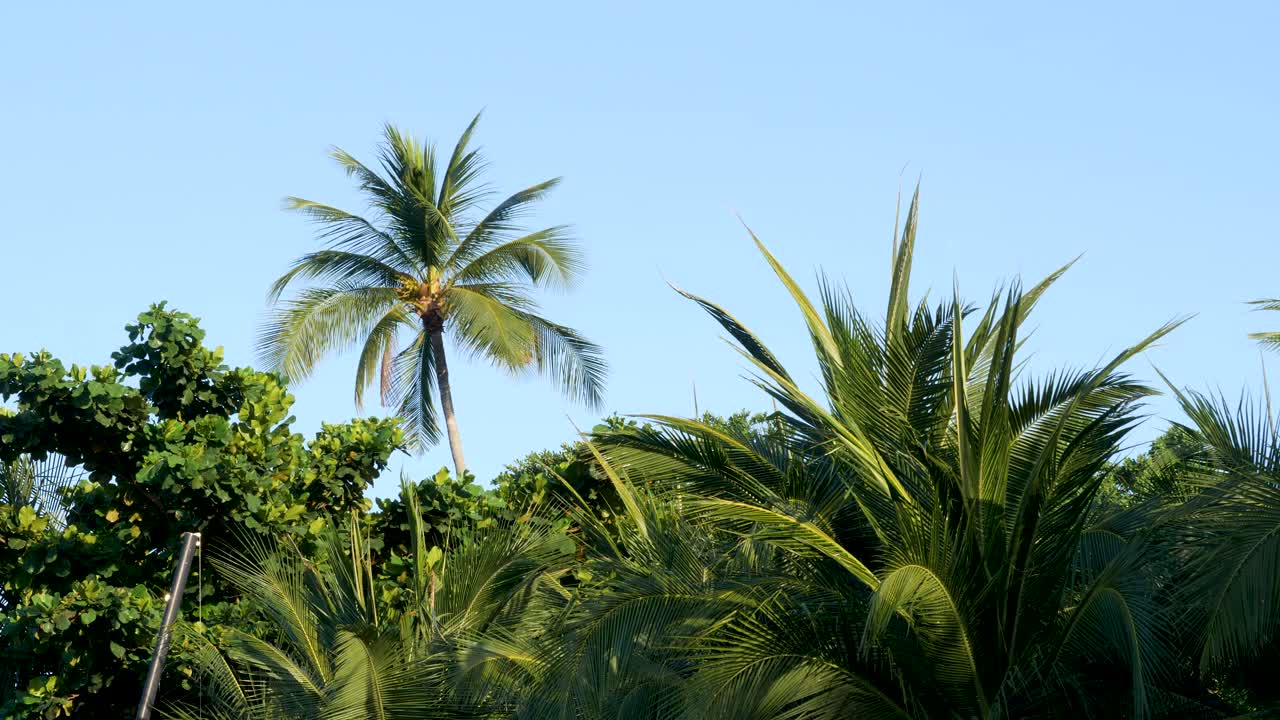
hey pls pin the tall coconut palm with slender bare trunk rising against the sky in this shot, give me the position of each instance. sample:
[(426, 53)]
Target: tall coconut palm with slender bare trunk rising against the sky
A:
[(424, 265)]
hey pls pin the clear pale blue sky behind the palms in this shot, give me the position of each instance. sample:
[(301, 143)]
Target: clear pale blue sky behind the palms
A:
[(148, 147)]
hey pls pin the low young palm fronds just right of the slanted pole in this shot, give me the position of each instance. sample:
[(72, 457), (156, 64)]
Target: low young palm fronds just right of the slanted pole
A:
[(339, 650)]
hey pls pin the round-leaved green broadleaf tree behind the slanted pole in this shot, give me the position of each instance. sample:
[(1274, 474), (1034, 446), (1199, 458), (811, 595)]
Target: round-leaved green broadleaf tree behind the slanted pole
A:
[(166, 440)]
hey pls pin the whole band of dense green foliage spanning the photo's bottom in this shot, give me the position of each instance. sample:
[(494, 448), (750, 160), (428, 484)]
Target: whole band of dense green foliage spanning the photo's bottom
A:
[(936, 534)]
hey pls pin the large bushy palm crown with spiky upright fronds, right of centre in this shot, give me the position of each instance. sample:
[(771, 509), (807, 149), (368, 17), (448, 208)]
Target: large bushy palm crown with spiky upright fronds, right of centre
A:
[(935, 495)]
